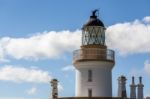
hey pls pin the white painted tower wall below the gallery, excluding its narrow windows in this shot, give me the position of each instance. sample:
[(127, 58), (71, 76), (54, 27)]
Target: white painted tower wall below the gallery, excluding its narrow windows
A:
[(101, 84)]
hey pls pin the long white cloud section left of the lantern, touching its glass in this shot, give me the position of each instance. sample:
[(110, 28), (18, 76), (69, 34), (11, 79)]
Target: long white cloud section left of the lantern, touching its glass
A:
[(44, 45)]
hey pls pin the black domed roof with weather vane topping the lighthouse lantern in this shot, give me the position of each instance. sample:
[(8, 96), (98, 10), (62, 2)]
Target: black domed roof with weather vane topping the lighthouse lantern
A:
[(94, 21)]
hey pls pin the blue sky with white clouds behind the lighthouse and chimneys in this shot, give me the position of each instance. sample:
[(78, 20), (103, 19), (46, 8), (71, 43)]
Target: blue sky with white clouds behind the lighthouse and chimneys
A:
[(37, 39)]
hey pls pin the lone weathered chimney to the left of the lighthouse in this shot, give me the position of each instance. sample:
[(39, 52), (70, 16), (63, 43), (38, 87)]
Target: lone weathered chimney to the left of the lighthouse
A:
[(54, 85)]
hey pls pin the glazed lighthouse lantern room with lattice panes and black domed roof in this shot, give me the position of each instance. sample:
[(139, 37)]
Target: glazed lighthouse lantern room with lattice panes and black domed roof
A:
[(93, 31)]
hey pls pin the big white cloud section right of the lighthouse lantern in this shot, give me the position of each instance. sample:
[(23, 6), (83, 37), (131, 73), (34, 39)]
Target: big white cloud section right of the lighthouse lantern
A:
[(129, 37)]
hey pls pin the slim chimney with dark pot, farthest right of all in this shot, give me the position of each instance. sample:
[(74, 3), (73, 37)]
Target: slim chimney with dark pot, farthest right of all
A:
[(140, 89)]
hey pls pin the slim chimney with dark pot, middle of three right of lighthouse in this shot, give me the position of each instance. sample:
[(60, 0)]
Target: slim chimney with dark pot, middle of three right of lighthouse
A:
[(133, 89)]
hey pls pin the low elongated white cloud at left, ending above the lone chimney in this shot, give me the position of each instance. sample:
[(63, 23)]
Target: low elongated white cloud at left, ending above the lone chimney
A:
[(21, 74)]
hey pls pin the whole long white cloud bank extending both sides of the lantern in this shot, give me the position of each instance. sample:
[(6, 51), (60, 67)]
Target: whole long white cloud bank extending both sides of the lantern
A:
[(127, 38)]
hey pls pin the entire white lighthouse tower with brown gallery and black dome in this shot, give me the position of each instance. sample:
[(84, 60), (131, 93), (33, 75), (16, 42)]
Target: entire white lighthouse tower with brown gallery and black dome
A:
[(93, 62)]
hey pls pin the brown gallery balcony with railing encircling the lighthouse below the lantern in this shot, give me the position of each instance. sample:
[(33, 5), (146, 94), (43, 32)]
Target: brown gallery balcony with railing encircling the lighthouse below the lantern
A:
[(93, 54)]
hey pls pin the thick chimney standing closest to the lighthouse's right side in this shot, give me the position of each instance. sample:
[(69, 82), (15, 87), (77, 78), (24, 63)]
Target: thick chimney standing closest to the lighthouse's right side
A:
[(122, 87)]
